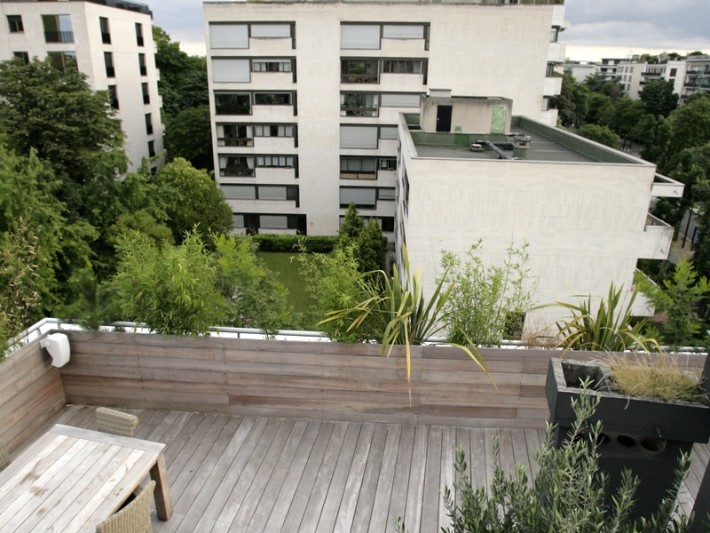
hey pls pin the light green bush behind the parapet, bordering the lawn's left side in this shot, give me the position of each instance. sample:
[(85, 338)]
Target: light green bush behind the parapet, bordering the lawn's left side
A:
[(256, 299)]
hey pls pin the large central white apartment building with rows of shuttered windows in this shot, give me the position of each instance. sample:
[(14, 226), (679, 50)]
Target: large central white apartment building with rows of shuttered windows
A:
[(306, 96)]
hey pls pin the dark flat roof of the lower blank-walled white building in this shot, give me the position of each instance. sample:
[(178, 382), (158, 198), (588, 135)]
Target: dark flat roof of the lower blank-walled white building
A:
[(546, 144)]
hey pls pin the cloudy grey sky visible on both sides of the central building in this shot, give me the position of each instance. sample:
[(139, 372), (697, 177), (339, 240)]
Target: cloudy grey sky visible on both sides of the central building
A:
[(596, 28)]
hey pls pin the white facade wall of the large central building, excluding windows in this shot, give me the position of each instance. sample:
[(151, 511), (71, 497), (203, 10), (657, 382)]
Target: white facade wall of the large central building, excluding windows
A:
[(473, 51)]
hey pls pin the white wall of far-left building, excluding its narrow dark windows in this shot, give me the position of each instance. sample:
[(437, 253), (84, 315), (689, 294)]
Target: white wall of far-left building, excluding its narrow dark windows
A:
[(89, 50)]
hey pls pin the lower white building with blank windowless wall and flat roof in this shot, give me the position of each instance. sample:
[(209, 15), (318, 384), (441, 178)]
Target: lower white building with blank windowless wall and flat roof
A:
[(583, 208)]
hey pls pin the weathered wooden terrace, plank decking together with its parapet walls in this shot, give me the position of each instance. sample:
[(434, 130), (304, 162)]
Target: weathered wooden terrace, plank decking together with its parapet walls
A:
[(294, 435)]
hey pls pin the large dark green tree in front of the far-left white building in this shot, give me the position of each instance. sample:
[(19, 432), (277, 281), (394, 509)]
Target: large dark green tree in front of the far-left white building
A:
[(68, 125)]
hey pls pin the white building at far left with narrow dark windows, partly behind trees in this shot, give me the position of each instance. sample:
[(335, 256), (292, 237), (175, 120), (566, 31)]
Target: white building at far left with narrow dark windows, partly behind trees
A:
[(111, 42)]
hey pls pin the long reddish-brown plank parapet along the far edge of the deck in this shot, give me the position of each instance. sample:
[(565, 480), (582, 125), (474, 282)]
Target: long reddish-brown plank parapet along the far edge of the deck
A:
[(308, 379)]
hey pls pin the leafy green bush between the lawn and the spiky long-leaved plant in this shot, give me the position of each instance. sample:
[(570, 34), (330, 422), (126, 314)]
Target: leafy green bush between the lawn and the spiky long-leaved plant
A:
[(334, 281)]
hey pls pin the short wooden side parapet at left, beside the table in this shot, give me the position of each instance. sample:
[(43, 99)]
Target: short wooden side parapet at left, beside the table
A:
[(31, 393)]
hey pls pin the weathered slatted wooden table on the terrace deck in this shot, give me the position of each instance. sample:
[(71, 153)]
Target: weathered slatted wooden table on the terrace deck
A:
[(72, 479)]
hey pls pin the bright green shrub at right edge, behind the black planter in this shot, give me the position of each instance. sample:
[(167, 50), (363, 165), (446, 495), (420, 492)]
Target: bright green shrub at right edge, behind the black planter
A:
[(678, 299)]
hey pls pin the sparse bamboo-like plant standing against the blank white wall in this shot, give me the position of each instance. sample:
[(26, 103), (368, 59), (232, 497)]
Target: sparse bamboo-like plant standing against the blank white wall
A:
[(484, 300)]
